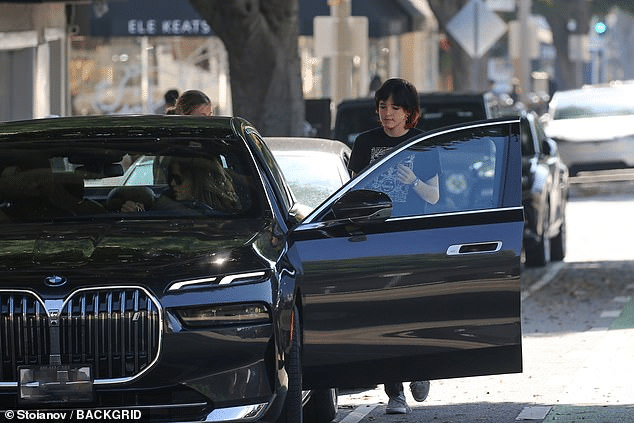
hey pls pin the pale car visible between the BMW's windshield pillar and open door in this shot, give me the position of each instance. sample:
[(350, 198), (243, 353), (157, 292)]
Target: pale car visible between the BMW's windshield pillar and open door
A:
[(313, 167)]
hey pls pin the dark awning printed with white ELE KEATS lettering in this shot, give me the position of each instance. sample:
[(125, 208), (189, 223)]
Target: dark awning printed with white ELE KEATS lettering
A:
[(149, 18)]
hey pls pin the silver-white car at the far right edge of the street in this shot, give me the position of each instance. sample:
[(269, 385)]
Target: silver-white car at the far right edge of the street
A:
[(593, 126)]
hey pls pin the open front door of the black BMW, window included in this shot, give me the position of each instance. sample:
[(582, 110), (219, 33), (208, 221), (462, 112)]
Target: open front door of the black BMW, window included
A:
[(395, 289)]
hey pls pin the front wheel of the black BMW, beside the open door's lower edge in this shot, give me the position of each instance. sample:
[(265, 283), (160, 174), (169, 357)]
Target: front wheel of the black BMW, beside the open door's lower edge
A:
[(292, 409)]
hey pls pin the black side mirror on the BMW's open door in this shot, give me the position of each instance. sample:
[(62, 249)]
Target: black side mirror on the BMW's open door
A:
[(363, 204)]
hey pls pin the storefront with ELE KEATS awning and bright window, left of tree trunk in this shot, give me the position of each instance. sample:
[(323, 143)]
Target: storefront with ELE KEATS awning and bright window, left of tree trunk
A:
[(127, 54)]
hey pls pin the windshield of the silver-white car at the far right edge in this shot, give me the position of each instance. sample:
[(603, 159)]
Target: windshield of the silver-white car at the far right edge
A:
[(598, 102)]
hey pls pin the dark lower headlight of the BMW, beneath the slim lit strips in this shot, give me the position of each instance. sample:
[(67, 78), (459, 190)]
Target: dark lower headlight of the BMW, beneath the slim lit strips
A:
[(214, 315)]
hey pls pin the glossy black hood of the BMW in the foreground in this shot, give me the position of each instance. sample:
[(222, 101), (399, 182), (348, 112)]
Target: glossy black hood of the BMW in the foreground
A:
[(151, 254)]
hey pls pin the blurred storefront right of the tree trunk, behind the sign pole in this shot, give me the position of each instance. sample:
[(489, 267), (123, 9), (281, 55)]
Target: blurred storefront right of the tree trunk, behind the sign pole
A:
[(402, 40)]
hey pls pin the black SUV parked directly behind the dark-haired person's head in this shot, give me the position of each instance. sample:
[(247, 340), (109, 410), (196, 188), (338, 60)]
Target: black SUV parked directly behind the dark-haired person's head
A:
[(437, 110)]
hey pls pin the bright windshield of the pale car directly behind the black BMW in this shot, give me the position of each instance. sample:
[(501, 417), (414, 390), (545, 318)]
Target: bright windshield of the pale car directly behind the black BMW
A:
[(312, 176)]
